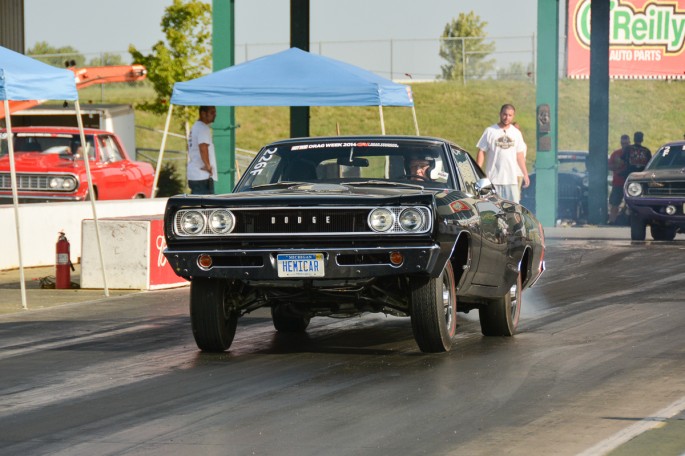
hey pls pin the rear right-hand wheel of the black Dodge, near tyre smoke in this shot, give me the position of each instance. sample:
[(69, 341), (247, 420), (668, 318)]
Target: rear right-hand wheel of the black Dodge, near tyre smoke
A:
[(500, 317)]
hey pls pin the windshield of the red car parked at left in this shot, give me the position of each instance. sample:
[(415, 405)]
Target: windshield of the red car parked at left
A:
[(65, 144)]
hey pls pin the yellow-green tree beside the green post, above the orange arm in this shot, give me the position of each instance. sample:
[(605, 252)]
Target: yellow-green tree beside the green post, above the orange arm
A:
[(185, 55)]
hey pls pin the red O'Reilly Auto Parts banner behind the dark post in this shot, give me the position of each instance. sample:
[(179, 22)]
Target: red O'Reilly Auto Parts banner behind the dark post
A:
[(646, 39)]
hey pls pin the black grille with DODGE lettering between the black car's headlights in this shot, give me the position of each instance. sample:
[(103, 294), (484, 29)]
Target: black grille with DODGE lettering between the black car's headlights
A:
[(306, 220)]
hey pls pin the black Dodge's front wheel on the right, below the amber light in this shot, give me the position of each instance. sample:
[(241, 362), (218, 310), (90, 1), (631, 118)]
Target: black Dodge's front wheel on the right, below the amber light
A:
[(434, 311)]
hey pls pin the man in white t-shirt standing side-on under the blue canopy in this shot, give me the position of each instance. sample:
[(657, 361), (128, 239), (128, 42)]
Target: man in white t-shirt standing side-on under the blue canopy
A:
[(201, 171)]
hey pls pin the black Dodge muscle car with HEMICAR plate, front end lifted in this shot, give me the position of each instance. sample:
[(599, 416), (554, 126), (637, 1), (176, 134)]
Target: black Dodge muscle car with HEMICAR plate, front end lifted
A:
[(341, 226)]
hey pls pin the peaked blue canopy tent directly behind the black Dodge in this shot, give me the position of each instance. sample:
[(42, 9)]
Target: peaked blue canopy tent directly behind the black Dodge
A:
[(291, 78)]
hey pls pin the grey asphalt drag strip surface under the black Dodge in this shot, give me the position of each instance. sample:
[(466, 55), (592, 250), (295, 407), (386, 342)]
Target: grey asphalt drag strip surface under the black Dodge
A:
[(601, 348)]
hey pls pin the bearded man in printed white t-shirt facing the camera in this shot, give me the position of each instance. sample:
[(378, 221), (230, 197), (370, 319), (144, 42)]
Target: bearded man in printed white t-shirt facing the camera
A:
[(502, 150)]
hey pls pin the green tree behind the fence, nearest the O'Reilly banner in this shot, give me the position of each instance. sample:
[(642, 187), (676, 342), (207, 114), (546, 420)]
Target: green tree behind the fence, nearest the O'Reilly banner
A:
[(464, 48)]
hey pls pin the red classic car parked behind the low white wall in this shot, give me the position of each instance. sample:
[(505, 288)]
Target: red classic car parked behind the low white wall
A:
[(50, 166)]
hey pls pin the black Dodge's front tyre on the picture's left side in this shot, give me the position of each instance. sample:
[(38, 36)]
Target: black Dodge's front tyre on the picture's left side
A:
[(213, 323)]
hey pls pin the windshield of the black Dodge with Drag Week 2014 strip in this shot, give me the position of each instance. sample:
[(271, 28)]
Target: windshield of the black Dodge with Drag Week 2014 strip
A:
[(378, 163)]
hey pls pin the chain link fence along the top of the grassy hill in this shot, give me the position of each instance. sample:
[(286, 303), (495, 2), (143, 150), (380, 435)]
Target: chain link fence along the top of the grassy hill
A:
[(511, 57)]
